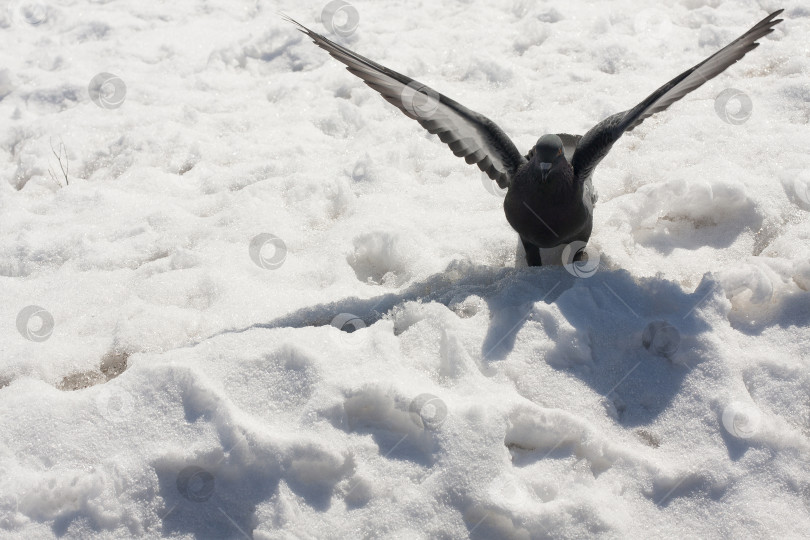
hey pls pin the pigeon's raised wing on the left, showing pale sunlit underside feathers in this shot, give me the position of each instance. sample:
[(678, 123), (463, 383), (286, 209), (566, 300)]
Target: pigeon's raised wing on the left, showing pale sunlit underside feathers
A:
[(468, 134)]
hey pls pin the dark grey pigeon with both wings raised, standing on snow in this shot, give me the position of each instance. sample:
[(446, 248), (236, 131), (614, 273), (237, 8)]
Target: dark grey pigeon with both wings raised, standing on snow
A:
[(549, 192)]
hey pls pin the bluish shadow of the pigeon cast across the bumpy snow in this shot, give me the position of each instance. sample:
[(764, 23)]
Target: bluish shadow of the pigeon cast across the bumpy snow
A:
[(610, 307)]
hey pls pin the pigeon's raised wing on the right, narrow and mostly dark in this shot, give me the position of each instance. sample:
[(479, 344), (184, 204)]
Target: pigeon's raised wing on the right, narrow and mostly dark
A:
[(596, 143)]
